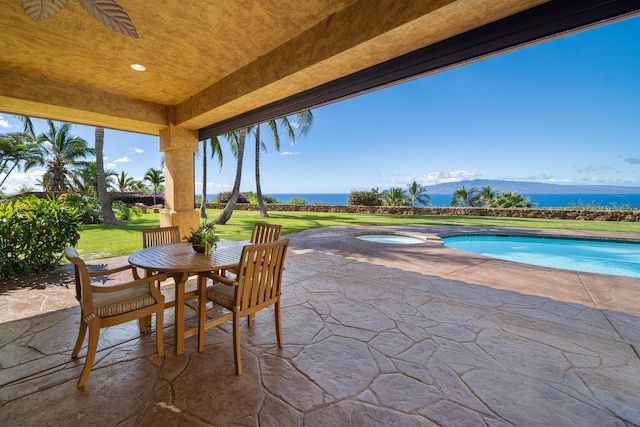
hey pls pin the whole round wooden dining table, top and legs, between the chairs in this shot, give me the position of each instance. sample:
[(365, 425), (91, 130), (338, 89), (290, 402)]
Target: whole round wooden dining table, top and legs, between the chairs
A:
[(179, 261)]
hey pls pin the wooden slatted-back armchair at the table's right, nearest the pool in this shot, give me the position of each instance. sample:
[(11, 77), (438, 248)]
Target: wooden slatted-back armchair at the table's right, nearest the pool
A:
[(256, 286)]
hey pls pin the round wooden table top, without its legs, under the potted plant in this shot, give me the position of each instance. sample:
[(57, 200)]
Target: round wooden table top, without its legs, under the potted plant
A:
[(181, 257)]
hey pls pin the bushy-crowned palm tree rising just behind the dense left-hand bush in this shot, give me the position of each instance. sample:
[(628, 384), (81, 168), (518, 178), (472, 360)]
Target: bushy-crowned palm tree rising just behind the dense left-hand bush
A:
[(61, 153)]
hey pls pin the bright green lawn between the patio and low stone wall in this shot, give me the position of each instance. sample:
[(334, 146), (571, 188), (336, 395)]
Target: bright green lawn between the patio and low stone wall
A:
[(101, 242)]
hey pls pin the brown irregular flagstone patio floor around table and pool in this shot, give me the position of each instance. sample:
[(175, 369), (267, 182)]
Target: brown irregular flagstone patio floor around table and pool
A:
[(374, 335)]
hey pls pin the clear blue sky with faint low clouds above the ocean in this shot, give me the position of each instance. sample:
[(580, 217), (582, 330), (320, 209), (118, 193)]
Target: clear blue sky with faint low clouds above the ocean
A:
[(566, 111)]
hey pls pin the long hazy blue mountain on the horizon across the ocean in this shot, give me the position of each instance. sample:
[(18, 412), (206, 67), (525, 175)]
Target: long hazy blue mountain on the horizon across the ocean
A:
[(531, 187)]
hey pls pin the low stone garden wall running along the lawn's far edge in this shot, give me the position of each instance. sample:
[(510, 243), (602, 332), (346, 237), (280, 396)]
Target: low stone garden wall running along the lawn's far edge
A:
[(555, 213)]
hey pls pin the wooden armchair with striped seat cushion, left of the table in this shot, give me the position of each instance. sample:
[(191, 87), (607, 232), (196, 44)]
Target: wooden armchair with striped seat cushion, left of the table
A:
[(108, 305)]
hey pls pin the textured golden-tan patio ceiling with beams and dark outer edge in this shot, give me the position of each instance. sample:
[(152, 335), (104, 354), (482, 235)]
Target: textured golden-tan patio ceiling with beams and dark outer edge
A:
[(215, 66)]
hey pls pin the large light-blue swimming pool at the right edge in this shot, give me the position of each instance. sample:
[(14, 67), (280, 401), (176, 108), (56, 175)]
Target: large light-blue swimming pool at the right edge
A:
[(593, 256)]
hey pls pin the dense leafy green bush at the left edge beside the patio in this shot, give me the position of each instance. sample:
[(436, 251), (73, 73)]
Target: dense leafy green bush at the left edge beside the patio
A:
[(34, 232)]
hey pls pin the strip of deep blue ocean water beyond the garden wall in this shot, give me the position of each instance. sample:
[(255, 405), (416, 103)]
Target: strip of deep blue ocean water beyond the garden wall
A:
[(541, 200)]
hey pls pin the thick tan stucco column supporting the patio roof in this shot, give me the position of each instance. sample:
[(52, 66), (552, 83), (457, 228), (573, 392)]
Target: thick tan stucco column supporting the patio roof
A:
[(179, 146)]
